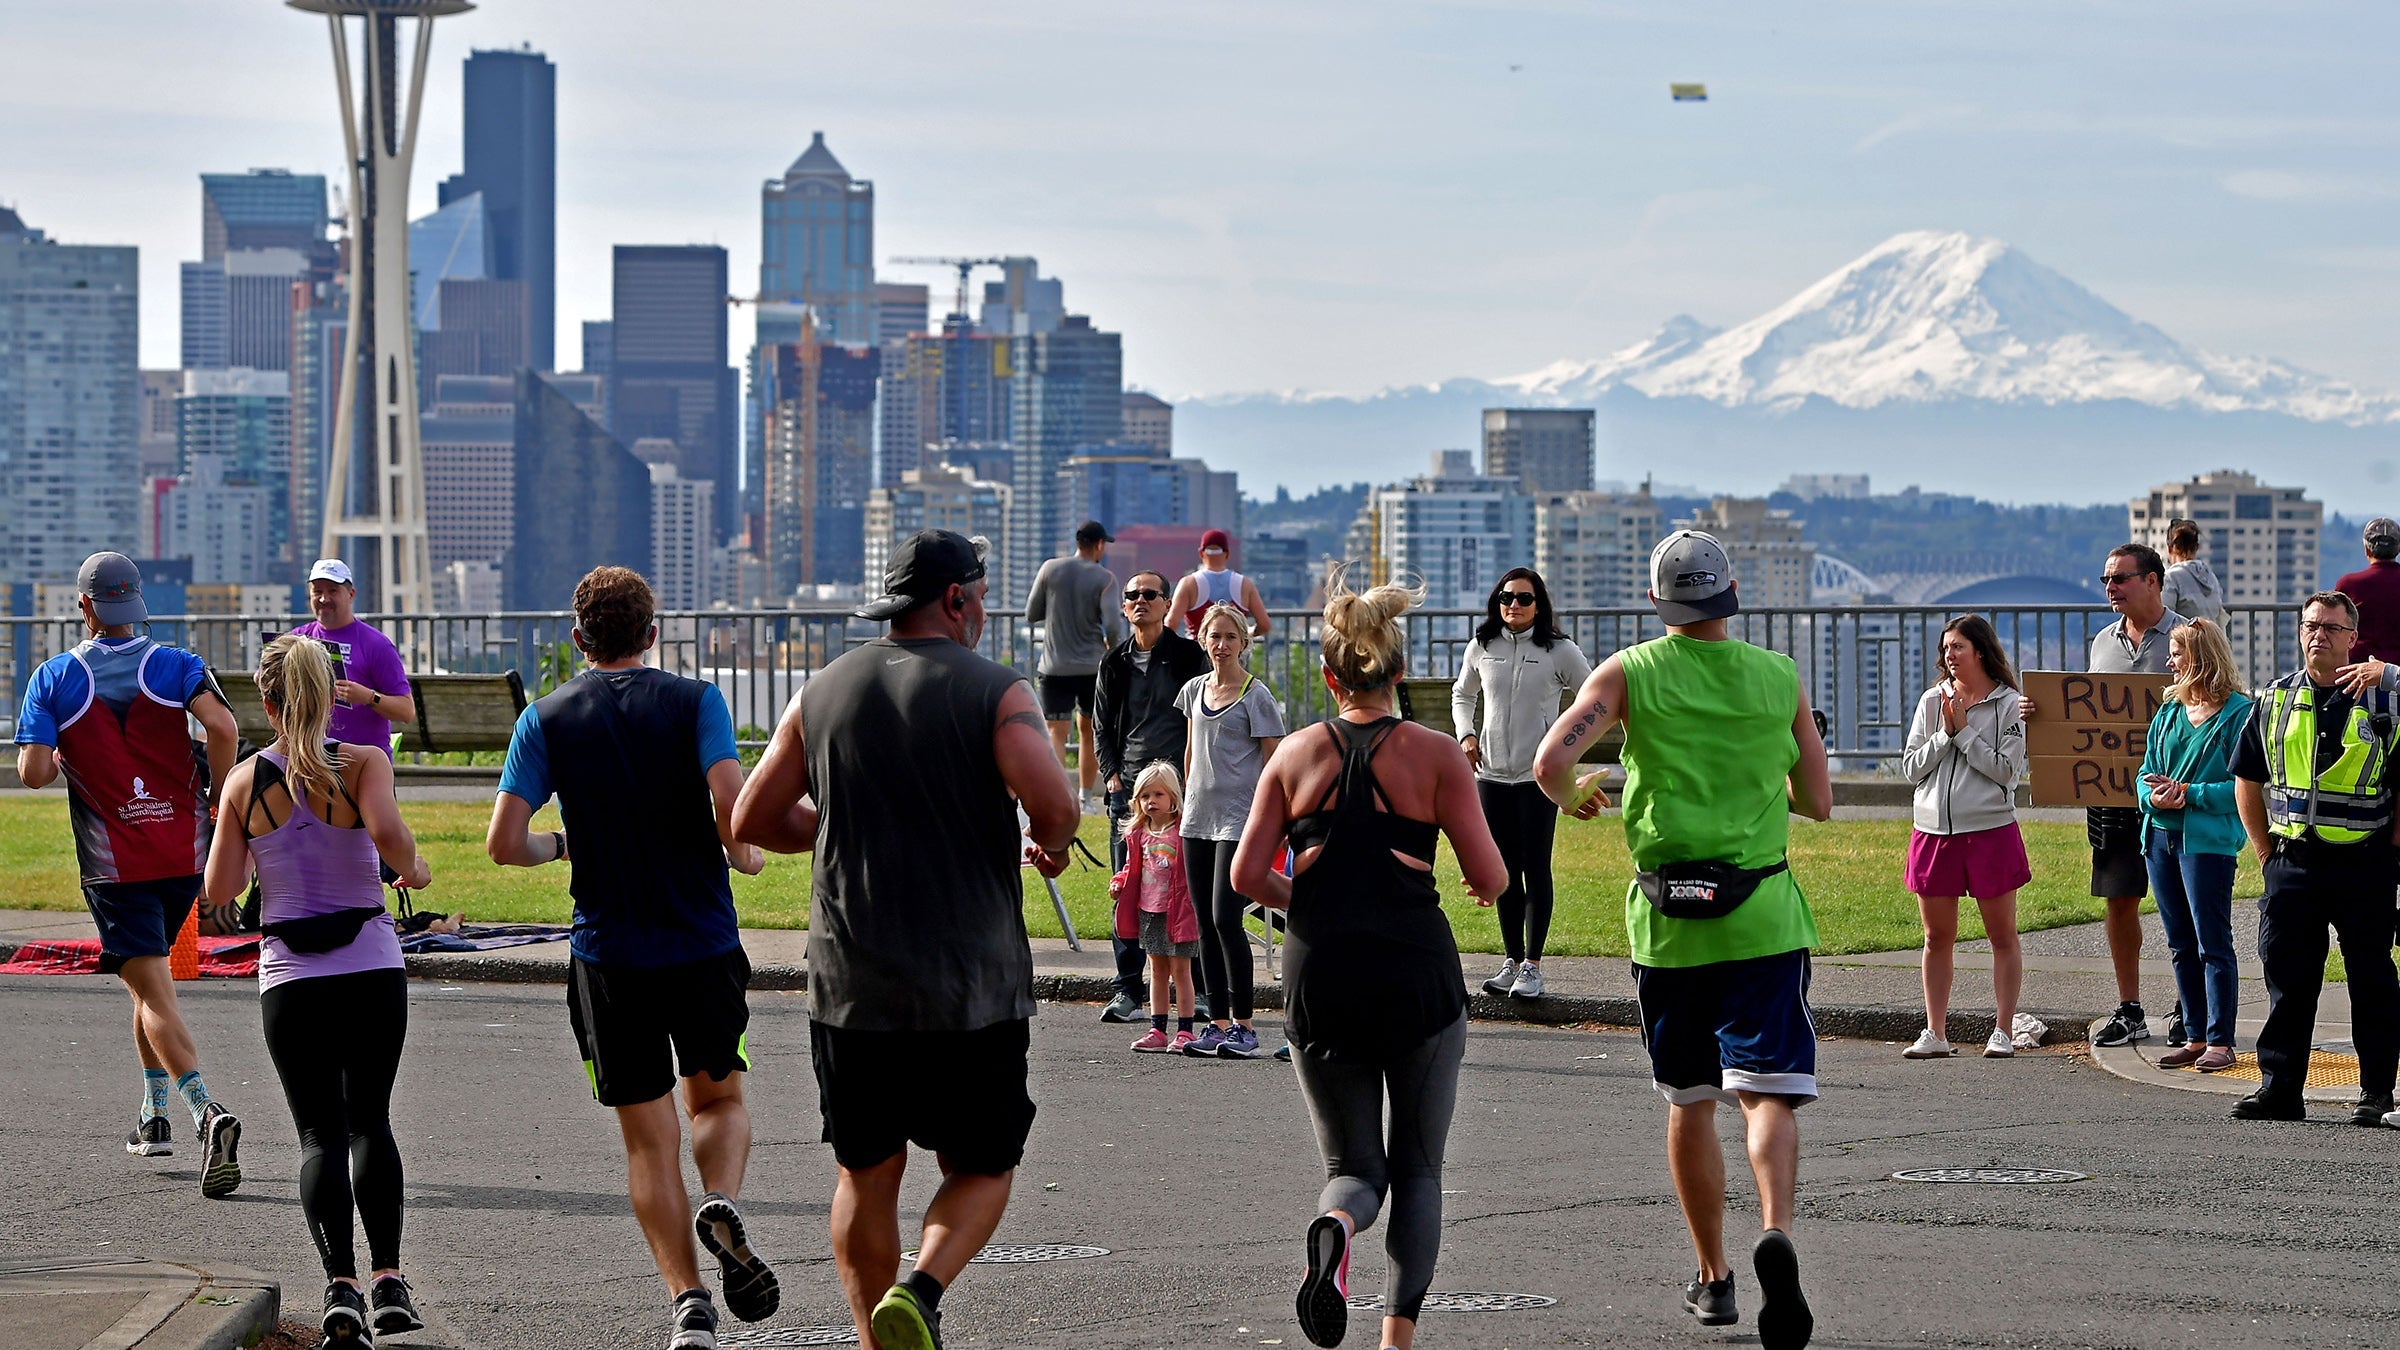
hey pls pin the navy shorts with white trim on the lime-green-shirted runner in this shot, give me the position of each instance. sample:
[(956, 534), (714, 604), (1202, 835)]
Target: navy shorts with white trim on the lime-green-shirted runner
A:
[(1734, 1027)]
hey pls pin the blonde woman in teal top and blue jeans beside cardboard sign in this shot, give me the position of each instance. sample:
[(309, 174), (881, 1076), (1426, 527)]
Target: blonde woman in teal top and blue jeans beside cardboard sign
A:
[(2192, 837)]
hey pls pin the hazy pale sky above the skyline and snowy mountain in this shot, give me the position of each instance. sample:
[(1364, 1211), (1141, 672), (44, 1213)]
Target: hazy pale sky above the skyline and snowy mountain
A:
[(1343, 193)]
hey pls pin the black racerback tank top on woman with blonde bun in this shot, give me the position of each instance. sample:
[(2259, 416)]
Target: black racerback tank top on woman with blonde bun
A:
[(1372, 967)]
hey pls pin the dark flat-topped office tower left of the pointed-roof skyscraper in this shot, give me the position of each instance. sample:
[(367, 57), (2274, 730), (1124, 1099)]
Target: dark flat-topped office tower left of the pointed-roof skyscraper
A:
[(668, 371)]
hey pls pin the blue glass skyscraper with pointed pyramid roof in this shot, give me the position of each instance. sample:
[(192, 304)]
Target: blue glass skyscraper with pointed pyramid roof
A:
[(820, 246)]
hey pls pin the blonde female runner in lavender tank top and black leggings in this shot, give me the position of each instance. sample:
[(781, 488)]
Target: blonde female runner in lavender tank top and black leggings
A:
[(313, 818)]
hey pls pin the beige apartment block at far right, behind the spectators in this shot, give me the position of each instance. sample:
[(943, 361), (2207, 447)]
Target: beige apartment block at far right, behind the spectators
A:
[(2260, 539)]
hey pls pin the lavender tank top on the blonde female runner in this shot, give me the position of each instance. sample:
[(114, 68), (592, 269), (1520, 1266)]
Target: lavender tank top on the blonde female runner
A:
[(313, 868)]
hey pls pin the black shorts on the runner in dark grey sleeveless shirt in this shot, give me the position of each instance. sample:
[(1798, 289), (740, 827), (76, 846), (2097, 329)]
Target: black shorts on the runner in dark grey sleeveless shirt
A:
[(954, 1092)]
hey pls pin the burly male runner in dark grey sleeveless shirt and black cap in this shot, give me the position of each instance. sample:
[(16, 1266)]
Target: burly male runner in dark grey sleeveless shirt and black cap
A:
[(896, 765)]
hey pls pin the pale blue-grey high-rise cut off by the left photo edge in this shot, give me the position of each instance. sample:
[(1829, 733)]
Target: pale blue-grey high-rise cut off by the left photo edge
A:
[(71, 402)]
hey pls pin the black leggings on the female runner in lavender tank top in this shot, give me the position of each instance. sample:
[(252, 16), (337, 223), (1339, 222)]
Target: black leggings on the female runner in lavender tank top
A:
[(337, 1046)]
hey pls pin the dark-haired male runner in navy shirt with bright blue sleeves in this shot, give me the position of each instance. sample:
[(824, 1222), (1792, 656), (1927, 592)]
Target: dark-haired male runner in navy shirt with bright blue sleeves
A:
[(647, 772)]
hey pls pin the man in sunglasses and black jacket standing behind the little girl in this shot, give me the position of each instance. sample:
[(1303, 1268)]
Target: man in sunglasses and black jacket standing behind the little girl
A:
[(1136, 722)]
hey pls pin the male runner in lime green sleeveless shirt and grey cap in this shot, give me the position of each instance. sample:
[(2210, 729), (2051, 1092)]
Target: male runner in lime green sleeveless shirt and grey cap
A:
[(1720, 748)]
